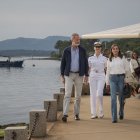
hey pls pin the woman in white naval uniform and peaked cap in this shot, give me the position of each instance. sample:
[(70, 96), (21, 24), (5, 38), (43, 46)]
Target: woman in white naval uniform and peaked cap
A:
[(97, 66)]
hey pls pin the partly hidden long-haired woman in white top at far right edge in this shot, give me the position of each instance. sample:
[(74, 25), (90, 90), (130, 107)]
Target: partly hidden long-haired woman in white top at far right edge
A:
[(134, 63)]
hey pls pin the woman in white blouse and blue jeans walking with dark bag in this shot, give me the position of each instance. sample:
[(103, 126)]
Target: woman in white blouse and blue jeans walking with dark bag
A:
[(116, 68)]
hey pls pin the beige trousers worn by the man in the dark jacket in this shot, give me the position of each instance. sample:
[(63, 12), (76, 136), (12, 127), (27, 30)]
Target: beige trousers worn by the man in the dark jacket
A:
[(77, 80)]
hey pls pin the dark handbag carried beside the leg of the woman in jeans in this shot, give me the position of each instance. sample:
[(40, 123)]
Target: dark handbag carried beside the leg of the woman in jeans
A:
[(127, 91)]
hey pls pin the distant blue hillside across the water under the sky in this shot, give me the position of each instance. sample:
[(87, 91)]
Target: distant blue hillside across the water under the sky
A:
[(46, 44)]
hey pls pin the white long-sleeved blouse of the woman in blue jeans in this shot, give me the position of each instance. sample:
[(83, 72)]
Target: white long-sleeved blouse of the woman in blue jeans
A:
[(116, 66)]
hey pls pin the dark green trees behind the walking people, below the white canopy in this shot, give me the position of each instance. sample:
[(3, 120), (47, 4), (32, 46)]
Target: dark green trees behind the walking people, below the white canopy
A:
[(124, 44)]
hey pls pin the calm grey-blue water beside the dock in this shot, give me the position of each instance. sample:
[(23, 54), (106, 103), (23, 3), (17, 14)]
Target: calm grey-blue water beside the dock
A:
[(24, 89)]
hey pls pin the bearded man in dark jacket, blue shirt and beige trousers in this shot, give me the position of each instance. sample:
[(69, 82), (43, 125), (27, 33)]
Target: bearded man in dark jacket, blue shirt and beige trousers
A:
[(74, 69)]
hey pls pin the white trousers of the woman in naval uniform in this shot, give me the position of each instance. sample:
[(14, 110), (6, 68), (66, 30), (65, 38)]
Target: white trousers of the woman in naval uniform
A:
[(97, 83)]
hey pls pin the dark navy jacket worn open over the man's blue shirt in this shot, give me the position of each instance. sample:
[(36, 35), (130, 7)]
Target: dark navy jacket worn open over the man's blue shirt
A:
[(66, 62)]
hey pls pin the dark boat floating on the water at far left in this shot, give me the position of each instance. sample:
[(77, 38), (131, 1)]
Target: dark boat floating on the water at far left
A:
[(9, 63)]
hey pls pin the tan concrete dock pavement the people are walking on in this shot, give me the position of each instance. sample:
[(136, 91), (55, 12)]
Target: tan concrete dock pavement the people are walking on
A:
[(98, 129)]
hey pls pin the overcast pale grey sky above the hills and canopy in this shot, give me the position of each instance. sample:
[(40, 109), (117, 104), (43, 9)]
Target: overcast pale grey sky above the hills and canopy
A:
[(42, 18)]
